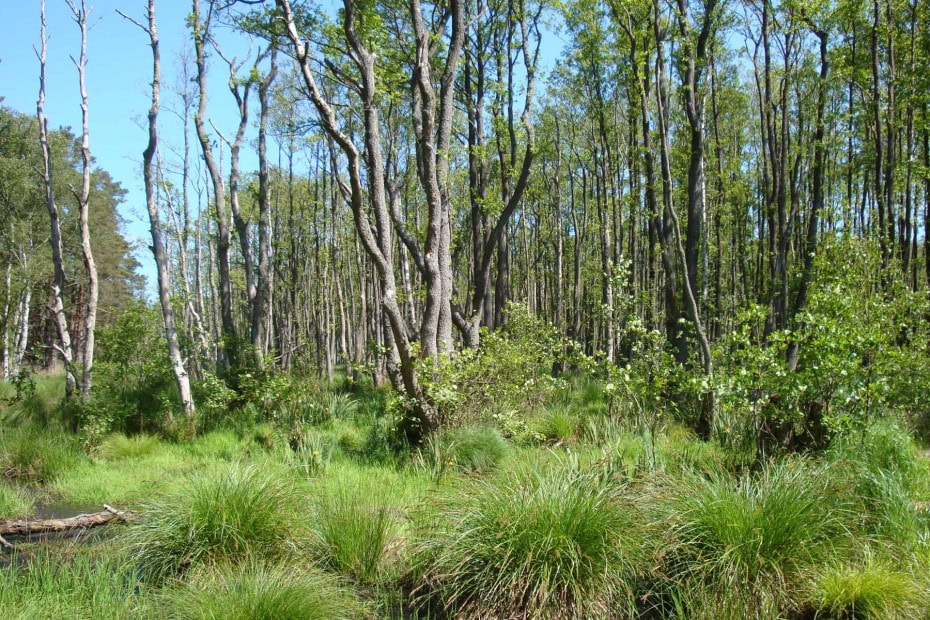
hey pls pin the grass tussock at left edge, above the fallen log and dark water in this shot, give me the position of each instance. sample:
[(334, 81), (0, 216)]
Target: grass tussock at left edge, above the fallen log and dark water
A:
[(36, 455)]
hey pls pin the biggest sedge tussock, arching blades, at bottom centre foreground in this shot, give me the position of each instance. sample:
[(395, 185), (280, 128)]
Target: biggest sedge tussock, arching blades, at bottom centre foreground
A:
[(554, 545)]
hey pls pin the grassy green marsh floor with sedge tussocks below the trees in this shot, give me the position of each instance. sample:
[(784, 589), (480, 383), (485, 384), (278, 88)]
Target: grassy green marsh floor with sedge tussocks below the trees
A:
[(580, 517)]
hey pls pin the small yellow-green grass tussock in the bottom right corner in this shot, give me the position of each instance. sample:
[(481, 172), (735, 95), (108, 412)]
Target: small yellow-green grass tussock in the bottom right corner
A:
[(873, 589)]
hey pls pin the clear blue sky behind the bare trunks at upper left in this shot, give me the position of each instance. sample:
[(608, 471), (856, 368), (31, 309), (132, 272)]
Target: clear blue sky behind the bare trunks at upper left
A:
[(118, 86)]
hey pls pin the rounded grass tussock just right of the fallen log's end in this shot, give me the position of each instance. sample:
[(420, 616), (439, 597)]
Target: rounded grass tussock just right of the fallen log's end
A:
[(229, 513)]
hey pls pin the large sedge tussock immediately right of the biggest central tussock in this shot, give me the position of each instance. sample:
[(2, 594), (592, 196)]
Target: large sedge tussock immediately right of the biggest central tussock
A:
[(751, 539)]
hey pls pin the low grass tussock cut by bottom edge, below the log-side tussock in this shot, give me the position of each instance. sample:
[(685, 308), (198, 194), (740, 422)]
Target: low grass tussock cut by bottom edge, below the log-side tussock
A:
[(255, 591)]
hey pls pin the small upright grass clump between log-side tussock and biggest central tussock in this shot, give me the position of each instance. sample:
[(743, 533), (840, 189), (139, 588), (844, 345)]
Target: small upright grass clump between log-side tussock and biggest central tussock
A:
[(352, 528)]
